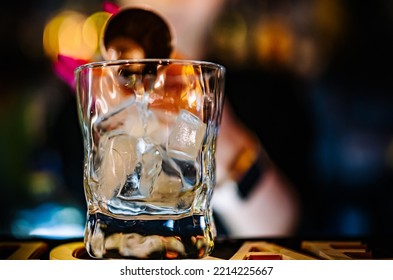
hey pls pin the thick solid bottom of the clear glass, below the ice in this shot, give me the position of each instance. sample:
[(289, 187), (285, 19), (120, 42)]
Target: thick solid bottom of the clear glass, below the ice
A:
[(190, 237)]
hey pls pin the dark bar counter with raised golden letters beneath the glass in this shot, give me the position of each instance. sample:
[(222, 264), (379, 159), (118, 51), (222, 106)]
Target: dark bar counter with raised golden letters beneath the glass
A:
[(225, 249)]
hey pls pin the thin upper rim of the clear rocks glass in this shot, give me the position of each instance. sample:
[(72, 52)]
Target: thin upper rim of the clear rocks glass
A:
[(163, 61)]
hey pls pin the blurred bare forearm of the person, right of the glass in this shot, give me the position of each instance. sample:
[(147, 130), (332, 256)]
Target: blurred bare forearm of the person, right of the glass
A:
[(271, 207)]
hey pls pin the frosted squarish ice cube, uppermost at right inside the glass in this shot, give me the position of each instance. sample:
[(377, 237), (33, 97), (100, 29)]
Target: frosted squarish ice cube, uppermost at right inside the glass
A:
[(185, 140)]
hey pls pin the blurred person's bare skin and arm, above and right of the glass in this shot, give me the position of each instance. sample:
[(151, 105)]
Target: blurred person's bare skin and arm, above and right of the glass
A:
[(253, 198)]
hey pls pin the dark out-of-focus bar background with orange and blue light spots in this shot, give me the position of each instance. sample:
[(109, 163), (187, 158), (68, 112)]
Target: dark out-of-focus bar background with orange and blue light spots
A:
[(313, 79)]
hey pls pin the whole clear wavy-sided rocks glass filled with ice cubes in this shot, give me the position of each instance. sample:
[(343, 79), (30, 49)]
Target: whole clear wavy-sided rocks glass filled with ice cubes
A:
[(149, 129)]
